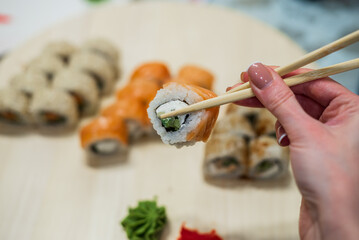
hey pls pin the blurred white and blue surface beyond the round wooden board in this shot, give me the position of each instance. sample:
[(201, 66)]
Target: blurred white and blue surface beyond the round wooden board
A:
[(310, 23)]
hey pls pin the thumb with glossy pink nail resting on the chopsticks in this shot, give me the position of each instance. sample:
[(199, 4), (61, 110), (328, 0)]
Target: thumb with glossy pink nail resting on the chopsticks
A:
[(277, 97)]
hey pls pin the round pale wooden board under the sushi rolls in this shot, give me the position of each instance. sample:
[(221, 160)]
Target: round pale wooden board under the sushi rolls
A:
[(48, 189)]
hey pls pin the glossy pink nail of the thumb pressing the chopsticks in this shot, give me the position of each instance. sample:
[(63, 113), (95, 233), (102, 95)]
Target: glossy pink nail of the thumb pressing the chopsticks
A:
[(259, 75)]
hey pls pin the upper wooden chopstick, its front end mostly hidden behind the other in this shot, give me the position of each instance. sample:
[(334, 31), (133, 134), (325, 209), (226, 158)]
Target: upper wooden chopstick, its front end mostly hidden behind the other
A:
[(310, 57)]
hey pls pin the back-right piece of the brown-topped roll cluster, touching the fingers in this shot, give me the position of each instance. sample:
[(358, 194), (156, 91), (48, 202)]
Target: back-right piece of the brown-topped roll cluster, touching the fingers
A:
[(265, 124)]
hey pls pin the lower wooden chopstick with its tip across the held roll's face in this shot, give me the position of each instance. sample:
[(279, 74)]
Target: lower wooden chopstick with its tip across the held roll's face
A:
[(247, 93)]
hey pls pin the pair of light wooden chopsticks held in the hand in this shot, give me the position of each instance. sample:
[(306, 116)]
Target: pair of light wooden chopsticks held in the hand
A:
[(244, 91)]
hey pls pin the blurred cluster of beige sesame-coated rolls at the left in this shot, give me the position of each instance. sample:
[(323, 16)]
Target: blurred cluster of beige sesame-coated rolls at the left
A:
[(61, 85)]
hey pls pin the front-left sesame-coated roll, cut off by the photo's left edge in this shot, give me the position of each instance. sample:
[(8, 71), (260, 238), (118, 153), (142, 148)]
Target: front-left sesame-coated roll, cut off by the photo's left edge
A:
[(13, 107)]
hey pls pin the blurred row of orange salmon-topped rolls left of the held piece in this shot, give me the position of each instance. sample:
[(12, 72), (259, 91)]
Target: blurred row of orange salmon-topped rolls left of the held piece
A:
[(125, 121)]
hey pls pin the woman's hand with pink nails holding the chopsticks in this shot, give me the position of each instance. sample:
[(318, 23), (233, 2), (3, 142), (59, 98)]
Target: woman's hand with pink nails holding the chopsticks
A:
[(319, 120)]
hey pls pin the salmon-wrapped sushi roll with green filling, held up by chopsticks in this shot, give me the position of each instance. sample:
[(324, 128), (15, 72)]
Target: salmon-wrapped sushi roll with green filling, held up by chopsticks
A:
[(183, 129)]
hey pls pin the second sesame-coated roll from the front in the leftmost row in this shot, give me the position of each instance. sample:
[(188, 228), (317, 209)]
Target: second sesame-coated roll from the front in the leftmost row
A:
[(29, 82)]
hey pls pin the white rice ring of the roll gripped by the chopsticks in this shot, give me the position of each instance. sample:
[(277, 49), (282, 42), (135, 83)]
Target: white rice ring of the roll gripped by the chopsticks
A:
[(172, 93)]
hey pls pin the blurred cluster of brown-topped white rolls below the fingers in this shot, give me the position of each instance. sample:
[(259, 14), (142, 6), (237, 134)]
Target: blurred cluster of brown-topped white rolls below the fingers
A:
[(243, 145)]
